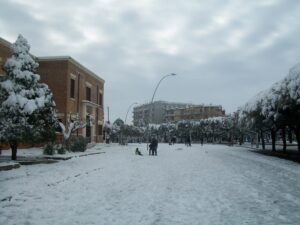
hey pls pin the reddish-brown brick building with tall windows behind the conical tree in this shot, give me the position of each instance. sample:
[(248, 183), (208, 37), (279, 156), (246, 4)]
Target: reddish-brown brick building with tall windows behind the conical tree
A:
[(77, 91)]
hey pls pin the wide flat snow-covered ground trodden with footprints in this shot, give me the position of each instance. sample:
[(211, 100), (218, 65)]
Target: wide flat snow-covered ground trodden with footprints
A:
[(213, 184)]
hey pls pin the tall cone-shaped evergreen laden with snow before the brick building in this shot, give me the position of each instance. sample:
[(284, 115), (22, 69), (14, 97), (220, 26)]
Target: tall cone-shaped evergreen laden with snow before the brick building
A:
[(26, 106)]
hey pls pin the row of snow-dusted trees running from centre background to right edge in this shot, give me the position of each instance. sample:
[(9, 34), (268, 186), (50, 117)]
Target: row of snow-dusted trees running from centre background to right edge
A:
[(273, 114)]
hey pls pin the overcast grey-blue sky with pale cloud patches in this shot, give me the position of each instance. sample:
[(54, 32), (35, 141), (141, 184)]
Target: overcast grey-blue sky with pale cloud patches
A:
[(224, 51)]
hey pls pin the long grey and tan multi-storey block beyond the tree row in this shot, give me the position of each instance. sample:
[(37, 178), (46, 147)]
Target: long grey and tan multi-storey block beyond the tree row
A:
[(162, 112)]
